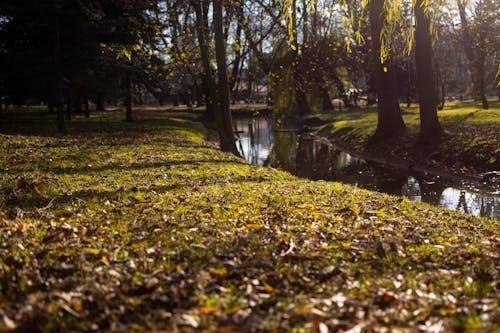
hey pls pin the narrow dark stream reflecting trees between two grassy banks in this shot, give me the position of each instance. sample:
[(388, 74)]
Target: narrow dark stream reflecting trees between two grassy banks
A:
[(263, 142)]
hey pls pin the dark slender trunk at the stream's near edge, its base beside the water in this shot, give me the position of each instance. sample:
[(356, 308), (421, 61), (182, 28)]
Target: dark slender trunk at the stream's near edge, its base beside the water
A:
[(225, 123)]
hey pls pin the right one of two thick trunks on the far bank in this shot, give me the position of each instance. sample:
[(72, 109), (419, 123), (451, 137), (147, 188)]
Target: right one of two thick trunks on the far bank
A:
[(430, 129)]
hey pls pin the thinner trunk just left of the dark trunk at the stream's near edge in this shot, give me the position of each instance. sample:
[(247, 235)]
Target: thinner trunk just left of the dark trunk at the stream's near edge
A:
[(201, 10)]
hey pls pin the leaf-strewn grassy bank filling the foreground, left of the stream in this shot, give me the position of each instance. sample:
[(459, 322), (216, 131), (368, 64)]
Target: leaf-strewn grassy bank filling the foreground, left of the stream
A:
[(143, 227)]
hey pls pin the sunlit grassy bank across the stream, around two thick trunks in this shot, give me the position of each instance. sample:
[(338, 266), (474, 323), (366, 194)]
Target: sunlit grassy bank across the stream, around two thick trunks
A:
[(470, 145)]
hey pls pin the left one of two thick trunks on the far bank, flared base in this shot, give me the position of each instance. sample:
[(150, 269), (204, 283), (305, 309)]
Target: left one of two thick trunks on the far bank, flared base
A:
[(390, 123)]
